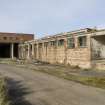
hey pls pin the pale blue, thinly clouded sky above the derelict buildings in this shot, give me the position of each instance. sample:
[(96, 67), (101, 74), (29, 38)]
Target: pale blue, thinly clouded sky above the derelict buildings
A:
[(47, 17)]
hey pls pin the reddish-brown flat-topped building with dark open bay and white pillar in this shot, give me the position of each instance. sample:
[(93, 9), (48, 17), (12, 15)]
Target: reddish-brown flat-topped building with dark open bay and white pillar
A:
[(9, 43)]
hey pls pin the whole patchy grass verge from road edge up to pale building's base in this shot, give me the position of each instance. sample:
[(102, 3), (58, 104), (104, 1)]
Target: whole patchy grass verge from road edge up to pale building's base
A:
[(62, 72)]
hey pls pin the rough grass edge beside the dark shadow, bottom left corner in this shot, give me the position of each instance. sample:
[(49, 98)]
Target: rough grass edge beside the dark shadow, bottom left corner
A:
[(3, 92)]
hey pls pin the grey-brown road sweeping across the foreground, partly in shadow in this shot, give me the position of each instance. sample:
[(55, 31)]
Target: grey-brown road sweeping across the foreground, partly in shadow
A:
[(34, 88)]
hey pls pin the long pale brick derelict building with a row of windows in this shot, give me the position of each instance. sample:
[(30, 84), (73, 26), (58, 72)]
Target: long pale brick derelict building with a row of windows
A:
[(84, 48)]
